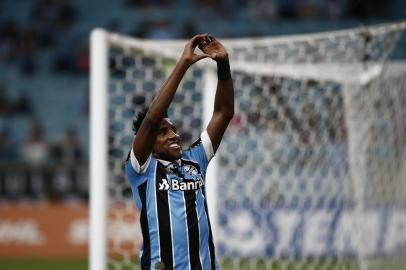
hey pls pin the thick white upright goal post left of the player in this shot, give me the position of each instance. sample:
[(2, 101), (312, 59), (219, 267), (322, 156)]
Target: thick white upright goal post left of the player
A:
[(98, 151)]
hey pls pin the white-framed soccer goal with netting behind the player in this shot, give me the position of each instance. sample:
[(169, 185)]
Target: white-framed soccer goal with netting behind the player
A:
[(311, 173)]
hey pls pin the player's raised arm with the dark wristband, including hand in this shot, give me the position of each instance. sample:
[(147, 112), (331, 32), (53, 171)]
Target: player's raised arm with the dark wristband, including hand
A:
[(224, 99)]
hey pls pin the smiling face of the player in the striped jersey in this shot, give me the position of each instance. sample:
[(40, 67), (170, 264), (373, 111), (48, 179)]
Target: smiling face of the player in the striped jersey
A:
[(167, 144)]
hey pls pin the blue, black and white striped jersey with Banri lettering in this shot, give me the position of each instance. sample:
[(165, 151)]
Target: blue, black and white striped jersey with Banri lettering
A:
[(174, 218)]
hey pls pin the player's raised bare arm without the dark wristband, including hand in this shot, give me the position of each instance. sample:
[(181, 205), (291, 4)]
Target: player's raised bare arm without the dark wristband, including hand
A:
[(148, 131)]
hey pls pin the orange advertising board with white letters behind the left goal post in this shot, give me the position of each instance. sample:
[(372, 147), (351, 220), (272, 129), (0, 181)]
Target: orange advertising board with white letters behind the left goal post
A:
[(60, 230)]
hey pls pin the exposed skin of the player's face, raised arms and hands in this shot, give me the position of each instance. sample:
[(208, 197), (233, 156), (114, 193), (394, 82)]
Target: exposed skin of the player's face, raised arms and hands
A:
[(156, 133)]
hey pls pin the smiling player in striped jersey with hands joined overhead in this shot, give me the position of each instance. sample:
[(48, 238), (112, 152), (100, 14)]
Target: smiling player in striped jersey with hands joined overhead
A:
[(168, 183)]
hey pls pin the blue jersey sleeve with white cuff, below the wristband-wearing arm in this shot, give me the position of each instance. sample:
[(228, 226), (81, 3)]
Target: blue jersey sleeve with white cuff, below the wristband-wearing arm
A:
[(201, 151)]
